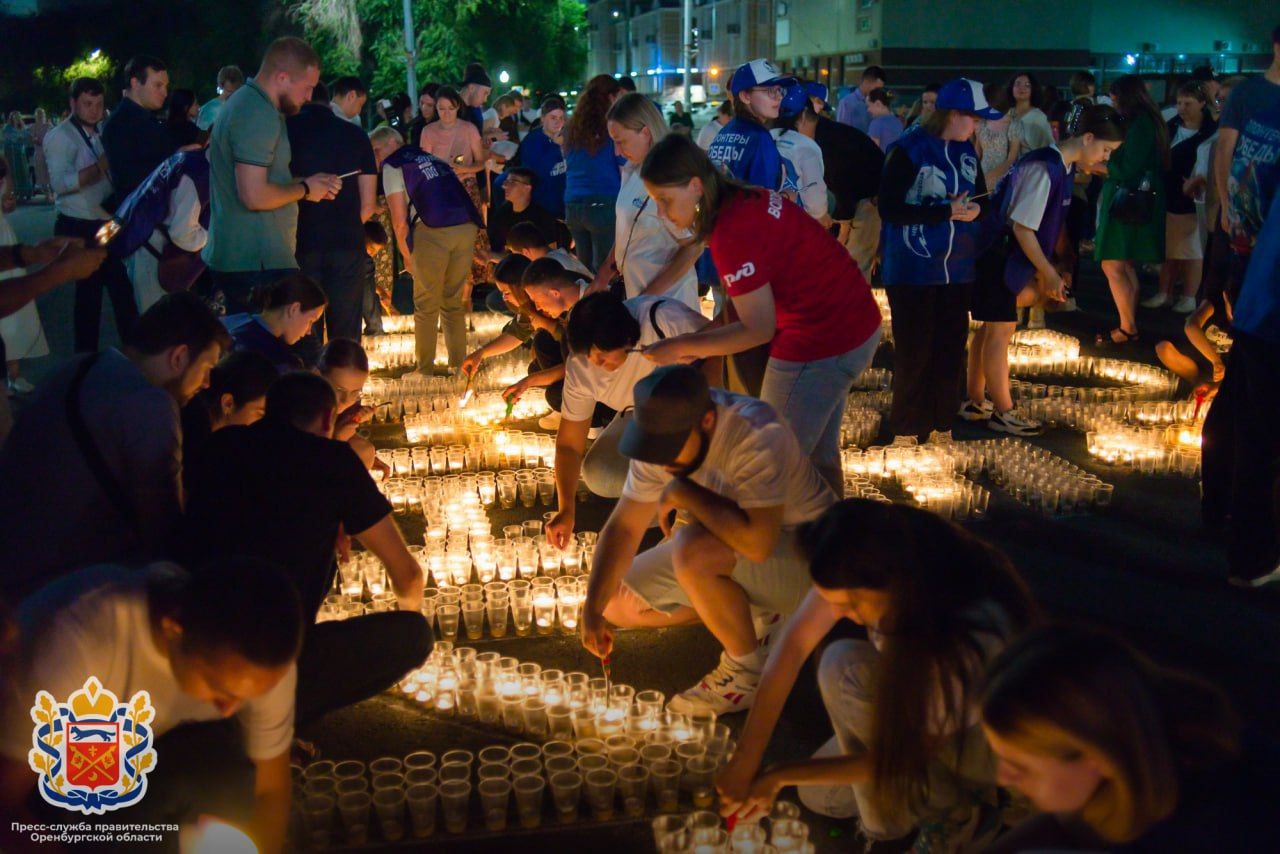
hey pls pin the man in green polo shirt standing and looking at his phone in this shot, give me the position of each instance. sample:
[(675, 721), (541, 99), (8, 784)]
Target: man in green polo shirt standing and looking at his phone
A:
[(253, 232)]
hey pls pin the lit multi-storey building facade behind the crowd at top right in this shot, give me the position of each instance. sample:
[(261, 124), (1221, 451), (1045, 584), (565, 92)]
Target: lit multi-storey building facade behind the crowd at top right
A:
[(924, 42)]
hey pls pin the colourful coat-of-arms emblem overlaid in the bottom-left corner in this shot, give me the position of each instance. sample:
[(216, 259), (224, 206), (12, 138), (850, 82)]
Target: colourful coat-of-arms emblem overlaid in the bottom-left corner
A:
[(93, 753)]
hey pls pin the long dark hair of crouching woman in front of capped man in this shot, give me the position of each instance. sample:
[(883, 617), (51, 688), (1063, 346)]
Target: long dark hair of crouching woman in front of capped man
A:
[(939, 579)]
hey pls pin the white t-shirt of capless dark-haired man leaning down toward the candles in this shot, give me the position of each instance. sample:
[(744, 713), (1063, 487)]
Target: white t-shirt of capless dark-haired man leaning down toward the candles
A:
[(587, 385)]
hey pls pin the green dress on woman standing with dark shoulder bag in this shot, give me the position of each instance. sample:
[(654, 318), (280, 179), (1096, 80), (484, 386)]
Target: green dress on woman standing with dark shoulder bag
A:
[(1137, 159)]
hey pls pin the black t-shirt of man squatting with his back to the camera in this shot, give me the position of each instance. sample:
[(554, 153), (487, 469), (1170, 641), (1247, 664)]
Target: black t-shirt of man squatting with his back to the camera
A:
[(275, 492)]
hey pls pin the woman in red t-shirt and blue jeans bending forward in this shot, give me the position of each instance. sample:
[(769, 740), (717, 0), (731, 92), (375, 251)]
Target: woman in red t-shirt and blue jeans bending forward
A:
[(793, 286)]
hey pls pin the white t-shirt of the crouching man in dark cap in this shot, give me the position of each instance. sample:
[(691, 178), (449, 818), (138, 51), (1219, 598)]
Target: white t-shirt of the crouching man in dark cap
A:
[(755, 462)]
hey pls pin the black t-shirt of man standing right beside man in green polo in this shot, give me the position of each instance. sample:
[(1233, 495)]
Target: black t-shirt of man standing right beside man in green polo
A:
[(323, 143)]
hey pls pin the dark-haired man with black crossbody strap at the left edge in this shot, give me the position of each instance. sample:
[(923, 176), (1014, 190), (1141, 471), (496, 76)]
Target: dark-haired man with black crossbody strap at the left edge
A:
[(108, 486)]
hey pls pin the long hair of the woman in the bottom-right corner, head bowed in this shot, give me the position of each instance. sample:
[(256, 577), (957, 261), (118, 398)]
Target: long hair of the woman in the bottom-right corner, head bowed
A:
[(1062, 689)]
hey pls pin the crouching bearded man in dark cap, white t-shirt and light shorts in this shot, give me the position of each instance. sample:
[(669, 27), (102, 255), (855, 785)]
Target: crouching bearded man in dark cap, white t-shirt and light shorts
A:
[(729, 468)]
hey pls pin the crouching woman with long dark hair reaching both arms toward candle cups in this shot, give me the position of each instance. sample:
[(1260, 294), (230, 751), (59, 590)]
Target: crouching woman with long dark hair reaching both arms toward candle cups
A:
[(908, 751)]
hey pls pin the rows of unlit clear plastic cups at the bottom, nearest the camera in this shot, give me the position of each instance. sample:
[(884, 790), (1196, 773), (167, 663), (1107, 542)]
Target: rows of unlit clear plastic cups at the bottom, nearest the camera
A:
[(409, 796)]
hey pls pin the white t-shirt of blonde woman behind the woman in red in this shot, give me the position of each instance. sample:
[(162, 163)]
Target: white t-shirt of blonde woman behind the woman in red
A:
[(643, 246)]
